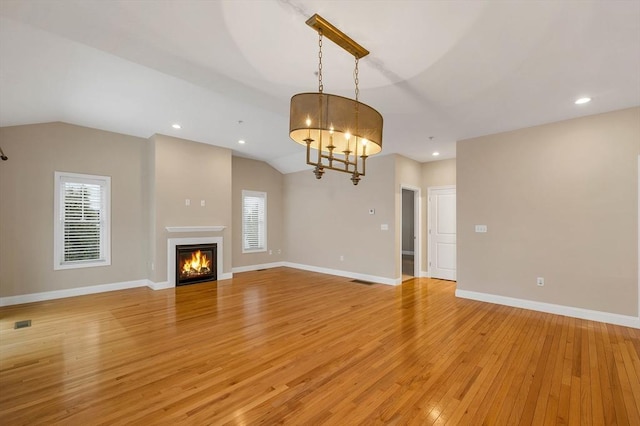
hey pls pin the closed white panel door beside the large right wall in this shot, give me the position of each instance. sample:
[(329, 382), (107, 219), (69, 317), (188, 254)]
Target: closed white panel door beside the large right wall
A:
[(442, 233)]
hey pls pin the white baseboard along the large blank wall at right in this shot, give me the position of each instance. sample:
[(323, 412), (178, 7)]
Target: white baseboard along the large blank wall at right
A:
[(569, 311)]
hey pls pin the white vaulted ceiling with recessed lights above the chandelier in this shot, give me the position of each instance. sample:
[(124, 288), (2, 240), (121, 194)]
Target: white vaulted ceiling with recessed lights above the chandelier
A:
[(444, 69)]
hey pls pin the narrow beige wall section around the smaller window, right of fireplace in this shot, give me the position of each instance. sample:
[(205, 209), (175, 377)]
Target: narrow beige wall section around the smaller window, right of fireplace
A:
[(255, 175)]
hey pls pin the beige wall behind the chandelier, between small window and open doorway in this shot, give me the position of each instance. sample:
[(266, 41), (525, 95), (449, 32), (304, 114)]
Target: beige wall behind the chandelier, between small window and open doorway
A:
[(329, 218)]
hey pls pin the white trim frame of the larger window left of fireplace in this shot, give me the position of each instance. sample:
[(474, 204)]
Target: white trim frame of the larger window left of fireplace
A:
[(58, 227)]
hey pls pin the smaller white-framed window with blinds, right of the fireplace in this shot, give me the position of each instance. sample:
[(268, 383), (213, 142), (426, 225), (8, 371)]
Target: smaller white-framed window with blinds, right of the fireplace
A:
[(254, 221)]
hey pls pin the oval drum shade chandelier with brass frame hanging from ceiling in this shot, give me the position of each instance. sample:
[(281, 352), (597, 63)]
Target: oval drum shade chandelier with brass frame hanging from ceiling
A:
[(343, 131)]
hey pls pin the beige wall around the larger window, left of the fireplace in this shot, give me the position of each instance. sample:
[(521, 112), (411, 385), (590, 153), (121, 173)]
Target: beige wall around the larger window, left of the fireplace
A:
[(26, 204)]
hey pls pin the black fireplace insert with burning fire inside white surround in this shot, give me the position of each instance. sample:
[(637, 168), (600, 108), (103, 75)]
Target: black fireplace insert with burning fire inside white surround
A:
[(196, 263)]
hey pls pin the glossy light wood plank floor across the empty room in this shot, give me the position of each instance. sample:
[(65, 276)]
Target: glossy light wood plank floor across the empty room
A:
[(287, 346)]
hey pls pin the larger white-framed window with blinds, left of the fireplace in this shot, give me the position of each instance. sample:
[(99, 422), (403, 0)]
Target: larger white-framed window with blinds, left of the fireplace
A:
[(82, 221)]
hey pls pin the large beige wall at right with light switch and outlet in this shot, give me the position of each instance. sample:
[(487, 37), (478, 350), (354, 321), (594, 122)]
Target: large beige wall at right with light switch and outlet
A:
[(560, 202)]
